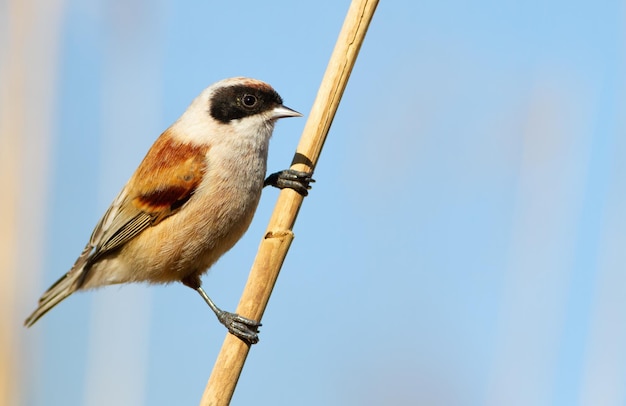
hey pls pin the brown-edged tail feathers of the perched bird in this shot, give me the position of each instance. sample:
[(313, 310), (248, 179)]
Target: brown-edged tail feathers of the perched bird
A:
[(61, 289)]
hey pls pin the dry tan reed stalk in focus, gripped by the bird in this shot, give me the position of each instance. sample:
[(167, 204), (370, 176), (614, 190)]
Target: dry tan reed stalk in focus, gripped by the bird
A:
[(278, 237)]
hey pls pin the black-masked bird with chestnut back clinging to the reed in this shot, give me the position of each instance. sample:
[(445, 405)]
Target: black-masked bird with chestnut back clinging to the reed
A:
[(191, 199)]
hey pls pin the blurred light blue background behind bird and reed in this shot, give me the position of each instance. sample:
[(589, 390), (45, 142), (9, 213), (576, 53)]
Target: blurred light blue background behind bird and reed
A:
[(463, 244)]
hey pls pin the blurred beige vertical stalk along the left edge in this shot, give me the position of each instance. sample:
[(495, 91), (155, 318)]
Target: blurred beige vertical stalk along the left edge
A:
[(28, 45)]
